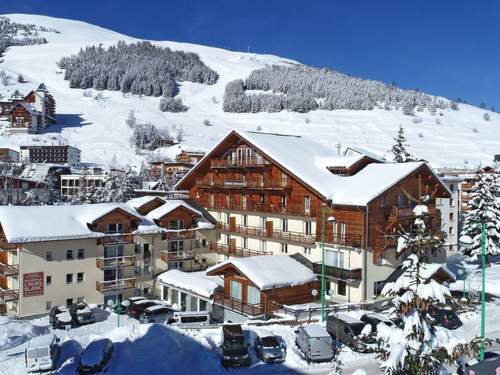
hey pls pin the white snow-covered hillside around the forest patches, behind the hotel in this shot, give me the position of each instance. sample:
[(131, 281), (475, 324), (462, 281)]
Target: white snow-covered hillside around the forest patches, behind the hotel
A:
[(98, 127)]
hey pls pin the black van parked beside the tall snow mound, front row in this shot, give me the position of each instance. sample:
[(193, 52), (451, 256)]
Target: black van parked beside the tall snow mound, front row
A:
[(234, 348)]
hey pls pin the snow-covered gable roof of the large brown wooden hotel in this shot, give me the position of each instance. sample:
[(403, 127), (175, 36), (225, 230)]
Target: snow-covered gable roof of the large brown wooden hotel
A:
[(308, 161)]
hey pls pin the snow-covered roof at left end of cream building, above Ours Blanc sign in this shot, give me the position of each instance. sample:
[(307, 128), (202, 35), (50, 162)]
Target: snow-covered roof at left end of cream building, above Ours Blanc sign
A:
[(48, 223)]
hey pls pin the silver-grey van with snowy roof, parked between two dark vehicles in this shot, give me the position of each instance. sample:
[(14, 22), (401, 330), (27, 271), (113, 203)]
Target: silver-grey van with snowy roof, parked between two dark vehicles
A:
[(315, 343)]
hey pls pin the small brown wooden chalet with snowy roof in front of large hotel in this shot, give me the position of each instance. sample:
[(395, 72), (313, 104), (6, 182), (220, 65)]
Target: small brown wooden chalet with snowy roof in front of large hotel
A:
[(258, 285)]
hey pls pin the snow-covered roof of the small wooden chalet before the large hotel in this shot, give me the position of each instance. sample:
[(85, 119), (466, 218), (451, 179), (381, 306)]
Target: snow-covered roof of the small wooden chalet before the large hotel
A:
[(270, 271)]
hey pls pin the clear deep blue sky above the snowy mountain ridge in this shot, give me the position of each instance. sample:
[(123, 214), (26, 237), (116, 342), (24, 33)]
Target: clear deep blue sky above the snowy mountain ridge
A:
[(444, 47)]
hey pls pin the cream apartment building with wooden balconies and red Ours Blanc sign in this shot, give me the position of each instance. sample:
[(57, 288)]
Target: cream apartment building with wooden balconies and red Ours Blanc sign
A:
[(58, 255)]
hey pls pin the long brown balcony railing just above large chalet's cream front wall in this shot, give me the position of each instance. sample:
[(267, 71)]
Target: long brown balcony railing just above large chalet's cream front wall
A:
[(278, 209)]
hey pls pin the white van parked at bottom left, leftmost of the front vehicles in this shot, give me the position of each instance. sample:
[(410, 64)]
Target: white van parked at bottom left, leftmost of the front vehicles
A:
[(41, 353)]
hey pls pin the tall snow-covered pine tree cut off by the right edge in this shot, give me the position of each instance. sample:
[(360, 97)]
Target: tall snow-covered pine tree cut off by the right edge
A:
[(483, 208)]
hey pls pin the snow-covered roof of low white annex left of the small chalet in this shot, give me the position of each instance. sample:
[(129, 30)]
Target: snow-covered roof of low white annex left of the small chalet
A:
[(195, 282)]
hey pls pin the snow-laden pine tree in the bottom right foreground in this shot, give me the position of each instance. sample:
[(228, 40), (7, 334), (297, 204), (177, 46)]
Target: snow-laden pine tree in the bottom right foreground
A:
[(418, 347)]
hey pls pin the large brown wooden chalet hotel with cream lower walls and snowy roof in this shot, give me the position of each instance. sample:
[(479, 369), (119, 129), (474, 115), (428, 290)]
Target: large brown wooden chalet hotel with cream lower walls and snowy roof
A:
[(275, 194)]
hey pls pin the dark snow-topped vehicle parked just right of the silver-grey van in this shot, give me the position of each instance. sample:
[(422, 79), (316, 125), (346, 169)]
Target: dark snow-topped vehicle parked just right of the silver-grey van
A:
[(348, 331)]
